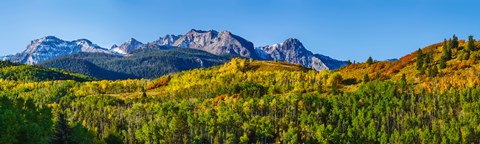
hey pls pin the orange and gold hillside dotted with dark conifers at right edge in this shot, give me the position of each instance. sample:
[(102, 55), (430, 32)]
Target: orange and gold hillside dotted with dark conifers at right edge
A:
[(426, 70)]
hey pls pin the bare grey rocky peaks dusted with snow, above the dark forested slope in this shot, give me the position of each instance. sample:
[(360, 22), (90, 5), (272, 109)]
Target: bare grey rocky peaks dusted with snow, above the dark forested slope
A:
[(220, 43)]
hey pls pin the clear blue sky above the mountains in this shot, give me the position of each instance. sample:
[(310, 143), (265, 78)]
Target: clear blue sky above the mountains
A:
[(342, 29)]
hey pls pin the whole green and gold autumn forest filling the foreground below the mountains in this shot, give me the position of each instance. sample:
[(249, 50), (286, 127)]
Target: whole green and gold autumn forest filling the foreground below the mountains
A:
[(424, 97)]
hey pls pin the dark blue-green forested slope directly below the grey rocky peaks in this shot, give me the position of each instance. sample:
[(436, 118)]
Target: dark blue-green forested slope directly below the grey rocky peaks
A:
[(143, 63)]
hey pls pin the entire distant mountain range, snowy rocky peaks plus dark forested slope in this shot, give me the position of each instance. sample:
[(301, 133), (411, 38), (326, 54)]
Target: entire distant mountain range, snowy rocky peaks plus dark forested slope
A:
[(128, 61)]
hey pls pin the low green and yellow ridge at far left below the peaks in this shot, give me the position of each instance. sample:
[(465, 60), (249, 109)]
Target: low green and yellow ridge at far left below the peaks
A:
[(21, 72)]
